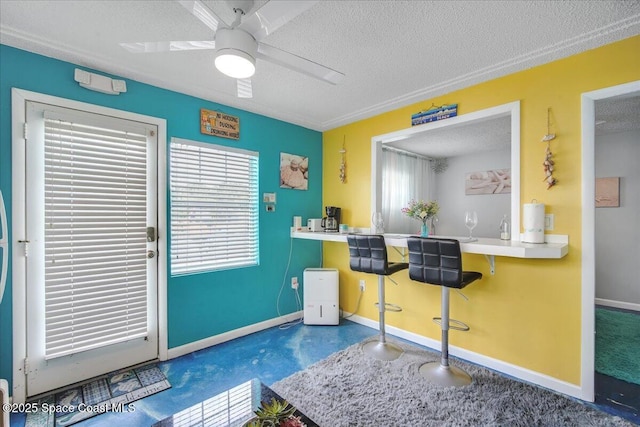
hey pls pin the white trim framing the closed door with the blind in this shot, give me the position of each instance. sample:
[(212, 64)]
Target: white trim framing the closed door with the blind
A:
[(18, 102)]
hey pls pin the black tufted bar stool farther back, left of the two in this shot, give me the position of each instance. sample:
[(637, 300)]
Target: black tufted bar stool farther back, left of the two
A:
[(368, 254)]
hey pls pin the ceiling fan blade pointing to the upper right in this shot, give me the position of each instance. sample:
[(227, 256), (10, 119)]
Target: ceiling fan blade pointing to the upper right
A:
[(272, 16)]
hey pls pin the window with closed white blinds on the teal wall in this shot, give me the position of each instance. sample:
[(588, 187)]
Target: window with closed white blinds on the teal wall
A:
[(214, 207)]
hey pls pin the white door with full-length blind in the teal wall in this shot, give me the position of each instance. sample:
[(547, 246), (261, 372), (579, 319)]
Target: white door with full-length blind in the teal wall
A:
[(91, 252)]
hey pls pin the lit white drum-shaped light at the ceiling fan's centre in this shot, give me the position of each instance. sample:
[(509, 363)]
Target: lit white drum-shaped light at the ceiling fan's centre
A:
[(236, 53)]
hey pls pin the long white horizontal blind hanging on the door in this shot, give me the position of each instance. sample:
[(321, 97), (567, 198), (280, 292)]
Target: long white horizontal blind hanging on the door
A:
[(95, 235)]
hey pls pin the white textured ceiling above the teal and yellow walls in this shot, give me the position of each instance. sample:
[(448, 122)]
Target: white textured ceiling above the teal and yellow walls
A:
[(393, 53)]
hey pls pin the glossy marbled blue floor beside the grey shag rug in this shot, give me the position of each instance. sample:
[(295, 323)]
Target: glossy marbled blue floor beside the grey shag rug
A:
[(274, 354)]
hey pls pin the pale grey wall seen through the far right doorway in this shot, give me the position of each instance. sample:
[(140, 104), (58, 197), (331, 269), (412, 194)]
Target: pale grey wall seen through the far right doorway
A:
[(618, 229)]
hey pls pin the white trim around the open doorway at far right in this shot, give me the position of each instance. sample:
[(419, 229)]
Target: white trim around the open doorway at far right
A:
[(588, 231)]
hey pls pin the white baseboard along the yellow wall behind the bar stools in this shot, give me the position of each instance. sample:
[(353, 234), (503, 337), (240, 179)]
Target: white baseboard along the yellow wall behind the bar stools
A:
[(479, 359)]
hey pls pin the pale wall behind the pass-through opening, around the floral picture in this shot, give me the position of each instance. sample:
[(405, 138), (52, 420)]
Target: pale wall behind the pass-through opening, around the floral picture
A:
[(450, 194)]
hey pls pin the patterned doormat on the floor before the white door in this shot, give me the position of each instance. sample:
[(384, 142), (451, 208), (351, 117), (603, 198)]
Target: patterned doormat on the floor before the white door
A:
[(113, 392)]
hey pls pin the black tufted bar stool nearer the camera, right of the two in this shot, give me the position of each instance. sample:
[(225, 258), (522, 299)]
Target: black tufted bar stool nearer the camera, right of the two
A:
[(439, 262)]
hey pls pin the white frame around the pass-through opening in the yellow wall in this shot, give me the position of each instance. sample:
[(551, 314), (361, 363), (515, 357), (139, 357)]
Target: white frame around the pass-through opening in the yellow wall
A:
[(511, 109)]
